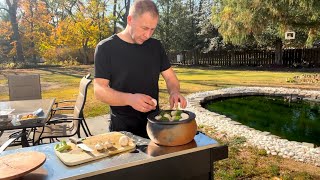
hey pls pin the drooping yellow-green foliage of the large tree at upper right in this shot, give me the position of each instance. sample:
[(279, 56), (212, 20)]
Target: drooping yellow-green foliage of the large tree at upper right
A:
[(265, 21)]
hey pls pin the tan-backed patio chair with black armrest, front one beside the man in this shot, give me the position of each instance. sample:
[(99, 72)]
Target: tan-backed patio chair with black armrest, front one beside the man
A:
[(64, 127)]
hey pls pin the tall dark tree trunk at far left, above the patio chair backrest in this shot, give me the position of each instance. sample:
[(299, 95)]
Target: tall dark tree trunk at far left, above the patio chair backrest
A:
[(16, 36)]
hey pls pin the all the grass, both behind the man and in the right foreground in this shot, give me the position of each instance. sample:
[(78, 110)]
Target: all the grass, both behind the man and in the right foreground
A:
[(243, 162)]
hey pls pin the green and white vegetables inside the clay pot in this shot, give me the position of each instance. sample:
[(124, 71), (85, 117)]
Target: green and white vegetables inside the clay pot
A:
[(175, 115)]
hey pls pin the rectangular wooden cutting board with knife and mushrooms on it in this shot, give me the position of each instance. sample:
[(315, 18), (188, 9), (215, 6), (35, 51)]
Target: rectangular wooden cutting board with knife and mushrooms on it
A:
[(77, 156)]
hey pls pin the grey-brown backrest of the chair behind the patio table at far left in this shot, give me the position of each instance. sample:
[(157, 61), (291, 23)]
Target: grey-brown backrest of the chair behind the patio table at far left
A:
[(24, 87)]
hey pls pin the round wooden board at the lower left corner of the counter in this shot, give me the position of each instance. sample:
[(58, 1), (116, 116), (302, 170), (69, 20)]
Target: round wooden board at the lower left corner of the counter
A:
[(19, 164)]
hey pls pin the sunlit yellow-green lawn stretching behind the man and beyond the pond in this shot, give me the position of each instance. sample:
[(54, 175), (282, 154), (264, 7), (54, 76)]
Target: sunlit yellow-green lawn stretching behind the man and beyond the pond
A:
[(62, 82)]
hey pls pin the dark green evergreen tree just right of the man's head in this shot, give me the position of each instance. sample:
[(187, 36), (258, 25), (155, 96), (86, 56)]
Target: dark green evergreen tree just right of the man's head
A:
[(177, 27)]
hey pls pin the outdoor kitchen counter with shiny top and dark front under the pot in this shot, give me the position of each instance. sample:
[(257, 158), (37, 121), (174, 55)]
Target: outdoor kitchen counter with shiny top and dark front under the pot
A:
[(149, 161)]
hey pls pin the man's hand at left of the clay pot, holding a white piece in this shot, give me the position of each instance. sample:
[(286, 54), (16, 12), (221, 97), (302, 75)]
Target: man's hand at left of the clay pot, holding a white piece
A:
[(141, 102)]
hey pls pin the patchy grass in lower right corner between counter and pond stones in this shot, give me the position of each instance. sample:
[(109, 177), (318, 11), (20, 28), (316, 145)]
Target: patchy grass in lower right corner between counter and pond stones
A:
[(245, 162)]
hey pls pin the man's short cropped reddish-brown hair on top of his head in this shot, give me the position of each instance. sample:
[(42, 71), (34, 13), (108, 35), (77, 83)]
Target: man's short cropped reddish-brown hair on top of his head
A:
[(140, 7)]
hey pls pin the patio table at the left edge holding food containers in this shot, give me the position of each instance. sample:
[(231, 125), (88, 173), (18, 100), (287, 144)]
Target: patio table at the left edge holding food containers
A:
[(23, 107)]
